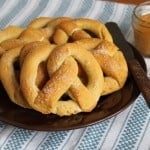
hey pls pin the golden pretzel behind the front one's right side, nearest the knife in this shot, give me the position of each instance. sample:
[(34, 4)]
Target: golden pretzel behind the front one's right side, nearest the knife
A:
[(111, 60)]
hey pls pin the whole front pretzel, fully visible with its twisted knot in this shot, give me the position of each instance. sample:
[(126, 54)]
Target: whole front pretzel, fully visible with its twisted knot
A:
[(62, 66)]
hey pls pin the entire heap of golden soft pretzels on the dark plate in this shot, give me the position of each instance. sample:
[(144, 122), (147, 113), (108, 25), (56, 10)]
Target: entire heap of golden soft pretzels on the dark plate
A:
[(64, 78)]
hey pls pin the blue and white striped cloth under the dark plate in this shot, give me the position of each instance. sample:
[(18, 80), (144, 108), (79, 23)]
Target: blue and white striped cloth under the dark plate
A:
[(129, 130)]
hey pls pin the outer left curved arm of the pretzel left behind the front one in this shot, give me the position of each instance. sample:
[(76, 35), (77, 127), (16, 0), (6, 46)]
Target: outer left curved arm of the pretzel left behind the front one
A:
[(9, 79)]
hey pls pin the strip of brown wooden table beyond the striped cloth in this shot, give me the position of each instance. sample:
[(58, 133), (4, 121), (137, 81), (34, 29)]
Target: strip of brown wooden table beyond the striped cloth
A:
[(136, 2)]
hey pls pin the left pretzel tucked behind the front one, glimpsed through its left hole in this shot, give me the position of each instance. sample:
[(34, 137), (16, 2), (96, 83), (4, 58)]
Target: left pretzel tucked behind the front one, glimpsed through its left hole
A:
[(10, 76)]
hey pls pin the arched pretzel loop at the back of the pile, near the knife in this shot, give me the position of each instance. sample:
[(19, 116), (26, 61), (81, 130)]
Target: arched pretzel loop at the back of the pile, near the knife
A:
[(75, 29)]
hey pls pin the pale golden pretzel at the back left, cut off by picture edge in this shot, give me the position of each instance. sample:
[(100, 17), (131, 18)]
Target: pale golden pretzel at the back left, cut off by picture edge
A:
[(10, 40)]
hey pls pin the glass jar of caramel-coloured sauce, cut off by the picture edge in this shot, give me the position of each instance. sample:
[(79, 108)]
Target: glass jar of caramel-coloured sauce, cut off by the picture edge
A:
[(141, 27)]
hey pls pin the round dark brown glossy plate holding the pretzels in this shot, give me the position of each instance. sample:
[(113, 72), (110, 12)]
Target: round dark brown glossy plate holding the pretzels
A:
[(107, 107)]
